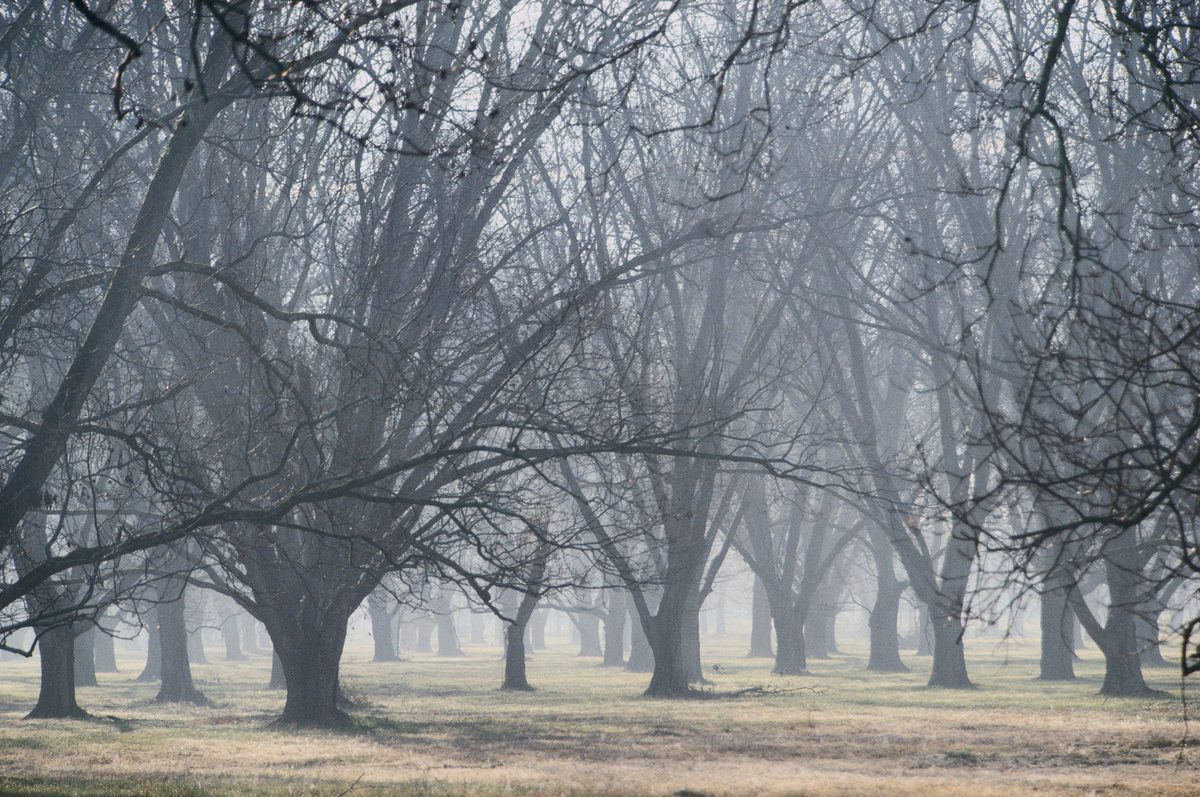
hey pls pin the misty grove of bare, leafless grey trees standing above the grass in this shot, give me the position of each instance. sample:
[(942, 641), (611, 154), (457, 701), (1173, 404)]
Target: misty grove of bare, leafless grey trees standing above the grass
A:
[(507, 307)]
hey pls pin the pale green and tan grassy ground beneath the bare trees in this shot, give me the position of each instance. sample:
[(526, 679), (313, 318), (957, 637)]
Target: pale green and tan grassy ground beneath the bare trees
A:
[(440, 727)]
